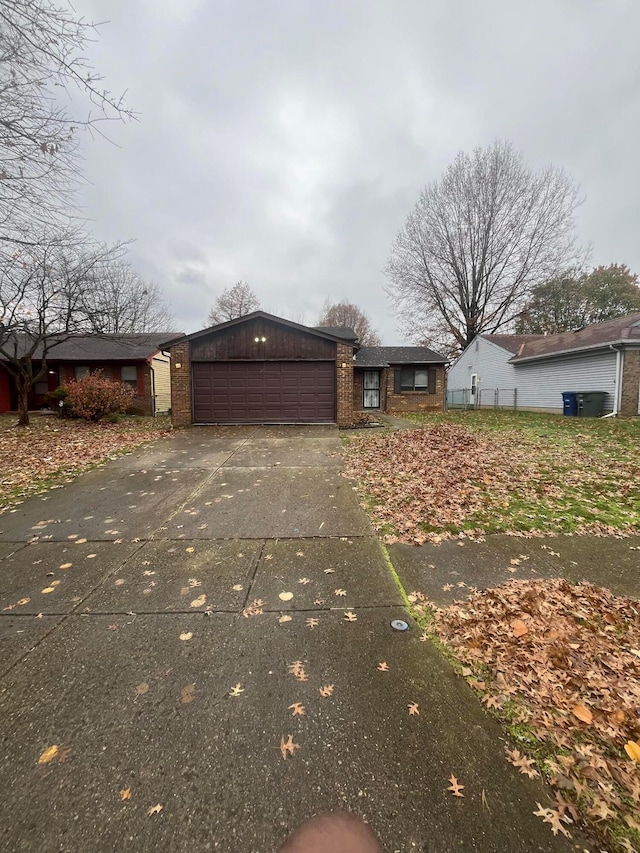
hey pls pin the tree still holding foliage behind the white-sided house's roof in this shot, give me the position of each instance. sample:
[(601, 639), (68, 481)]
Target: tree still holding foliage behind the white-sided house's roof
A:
[(580, 299)]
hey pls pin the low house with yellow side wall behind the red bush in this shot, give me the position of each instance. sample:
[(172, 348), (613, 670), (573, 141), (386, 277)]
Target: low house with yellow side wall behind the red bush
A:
[(136, 359)]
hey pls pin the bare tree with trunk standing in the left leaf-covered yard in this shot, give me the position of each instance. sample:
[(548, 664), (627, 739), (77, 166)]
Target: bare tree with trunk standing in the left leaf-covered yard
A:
[(43, 301)]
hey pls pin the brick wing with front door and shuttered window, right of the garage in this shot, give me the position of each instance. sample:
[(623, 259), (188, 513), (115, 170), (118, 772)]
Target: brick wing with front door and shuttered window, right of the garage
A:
[(398, 379)]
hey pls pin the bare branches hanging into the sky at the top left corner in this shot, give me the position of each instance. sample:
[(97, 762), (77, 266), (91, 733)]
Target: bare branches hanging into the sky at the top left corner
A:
[(42, 59)]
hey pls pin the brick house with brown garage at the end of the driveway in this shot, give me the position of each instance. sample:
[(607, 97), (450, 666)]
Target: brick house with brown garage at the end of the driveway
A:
[(264, 369)]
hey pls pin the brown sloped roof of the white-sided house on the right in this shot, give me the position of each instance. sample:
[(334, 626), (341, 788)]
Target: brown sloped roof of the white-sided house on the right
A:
[(620, 330)]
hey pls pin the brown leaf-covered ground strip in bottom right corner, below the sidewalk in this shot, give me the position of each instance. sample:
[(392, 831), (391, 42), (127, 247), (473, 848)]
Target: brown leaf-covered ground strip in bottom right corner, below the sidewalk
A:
[(561, 662)]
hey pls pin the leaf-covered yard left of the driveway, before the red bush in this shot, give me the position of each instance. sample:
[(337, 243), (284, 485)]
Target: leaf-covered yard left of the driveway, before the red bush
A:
[(52, 446)]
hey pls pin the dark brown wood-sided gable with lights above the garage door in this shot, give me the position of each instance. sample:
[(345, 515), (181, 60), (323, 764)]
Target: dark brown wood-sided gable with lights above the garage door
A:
[(281, 343)]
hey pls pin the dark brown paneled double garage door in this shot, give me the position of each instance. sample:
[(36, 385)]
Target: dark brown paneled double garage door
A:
[(264, 392)]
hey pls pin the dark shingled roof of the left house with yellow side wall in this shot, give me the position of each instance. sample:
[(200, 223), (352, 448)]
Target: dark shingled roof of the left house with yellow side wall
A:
[(104, 347)]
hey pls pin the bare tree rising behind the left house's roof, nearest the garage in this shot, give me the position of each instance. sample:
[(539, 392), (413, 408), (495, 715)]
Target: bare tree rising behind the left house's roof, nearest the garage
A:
[(120, 301)]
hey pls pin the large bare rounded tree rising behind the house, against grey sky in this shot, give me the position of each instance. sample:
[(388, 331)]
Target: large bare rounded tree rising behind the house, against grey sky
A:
[(476, 243)]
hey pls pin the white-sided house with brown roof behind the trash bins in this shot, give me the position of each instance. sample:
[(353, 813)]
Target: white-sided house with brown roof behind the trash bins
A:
[(539, 368)]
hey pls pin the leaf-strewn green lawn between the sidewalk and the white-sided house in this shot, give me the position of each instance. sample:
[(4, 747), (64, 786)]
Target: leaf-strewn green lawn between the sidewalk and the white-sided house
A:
[(490, 472)]
